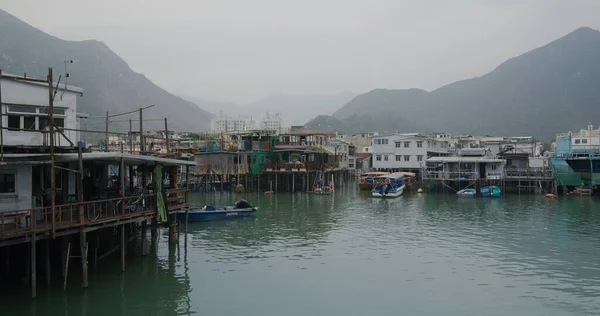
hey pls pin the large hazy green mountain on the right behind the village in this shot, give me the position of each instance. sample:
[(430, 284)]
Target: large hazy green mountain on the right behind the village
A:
[(554, 88)]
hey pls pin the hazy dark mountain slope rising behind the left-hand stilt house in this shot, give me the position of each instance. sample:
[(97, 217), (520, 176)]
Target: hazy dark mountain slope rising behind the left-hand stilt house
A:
[(108, 82)]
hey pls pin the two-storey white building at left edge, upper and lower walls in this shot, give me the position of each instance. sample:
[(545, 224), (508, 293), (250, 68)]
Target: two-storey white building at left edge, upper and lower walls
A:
[(26, 106)]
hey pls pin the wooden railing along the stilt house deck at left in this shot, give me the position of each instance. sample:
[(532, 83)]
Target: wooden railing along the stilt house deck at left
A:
[(14, 223)]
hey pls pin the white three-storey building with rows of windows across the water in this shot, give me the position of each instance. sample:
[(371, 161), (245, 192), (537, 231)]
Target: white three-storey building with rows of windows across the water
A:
[(406, 152)]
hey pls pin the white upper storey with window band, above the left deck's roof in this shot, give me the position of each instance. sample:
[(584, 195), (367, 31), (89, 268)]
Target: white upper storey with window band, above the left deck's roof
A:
[(26, 106)]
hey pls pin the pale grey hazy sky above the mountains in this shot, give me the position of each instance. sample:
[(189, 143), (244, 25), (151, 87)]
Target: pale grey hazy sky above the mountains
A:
[(243, 50)]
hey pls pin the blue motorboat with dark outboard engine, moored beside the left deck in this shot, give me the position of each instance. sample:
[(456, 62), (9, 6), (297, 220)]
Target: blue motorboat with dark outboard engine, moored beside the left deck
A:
[(210, 213)]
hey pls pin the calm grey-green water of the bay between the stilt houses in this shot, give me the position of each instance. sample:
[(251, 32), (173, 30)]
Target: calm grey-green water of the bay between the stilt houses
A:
[(349, 254)]
